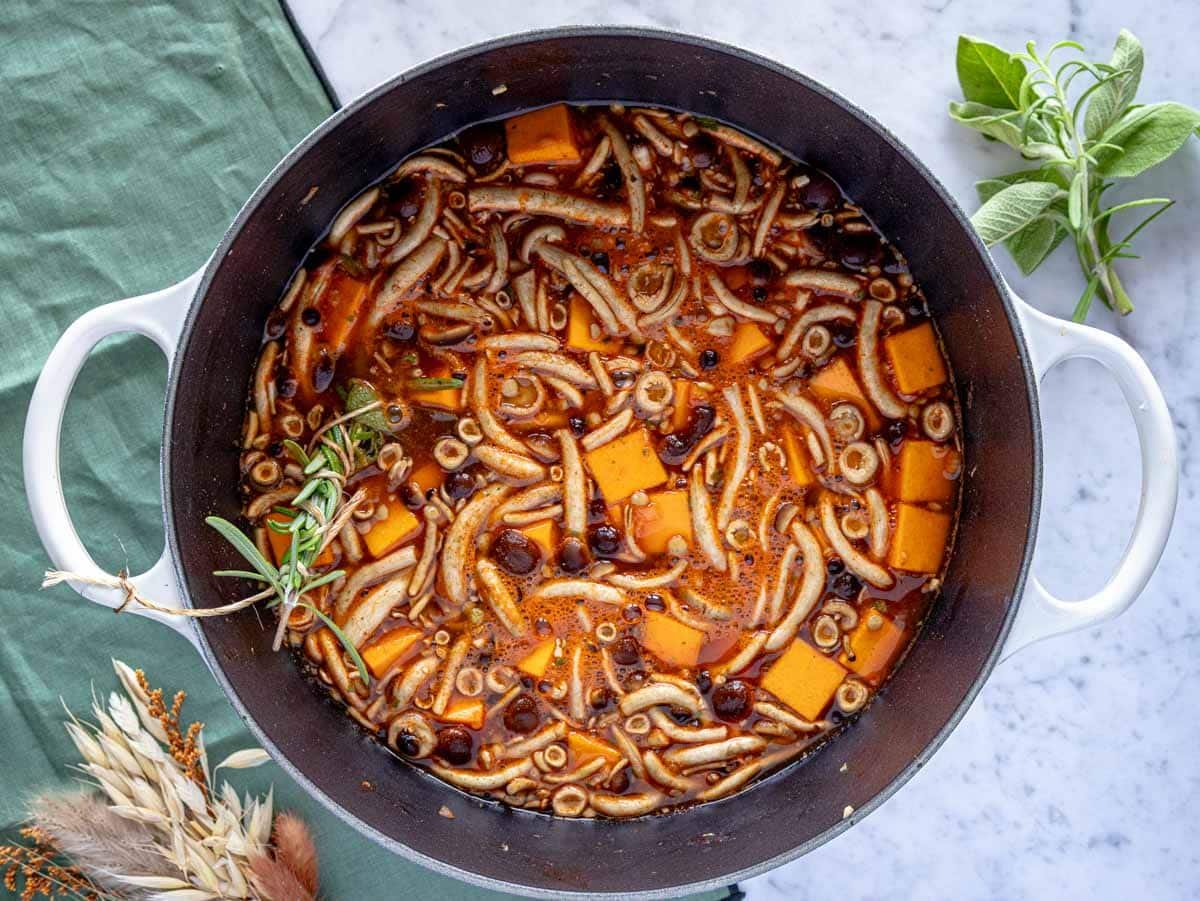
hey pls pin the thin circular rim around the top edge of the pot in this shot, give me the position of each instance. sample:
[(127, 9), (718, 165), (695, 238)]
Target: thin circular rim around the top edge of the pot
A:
[(635, 33)]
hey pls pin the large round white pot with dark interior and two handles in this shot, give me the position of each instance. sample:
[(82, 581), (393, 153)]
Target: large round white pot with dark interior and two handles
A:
[(211, 326)]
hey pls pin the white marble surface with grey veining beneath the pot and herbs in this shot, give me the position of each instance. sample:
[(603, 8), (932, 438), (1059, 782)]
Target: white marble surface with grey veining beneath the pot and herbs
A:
[(1077, 774)]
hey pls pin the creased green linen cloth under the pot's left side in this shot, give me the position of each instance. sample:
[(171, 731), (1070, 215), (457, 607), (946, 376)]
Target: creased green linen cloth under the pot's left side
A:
[(130, 134)]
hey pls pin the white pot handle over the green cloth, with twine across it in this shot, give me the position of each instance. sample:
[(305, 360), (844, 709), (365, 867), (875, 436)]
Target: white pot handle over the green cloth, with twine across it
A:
[(160, 317)]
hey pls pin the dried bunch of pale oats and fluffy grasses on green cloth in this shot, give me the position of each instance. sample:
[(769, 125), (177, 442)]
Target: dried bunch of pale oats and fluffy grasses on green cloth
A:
[(159, 827)]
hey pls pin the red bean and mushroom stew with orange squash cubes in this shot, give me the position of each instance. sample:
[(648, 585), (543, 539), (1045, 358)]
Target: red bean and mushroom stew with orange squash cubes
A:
[(632, 449)]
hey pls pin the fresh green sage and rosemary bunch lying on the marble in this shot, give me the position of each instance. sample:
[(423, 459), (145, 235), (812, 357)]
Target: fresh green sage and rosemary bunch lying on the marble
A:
[(1079, 123)]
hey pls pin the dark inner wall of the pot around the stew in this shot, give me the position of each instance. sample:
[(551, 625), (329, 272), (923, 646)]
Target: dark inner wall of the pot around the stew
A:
[(799, 808)]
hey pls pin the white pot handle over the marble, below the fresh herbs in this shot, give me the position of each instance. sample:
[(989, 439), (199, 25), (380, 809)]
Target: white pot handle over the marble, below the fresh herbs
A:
[(1052, 341)]
